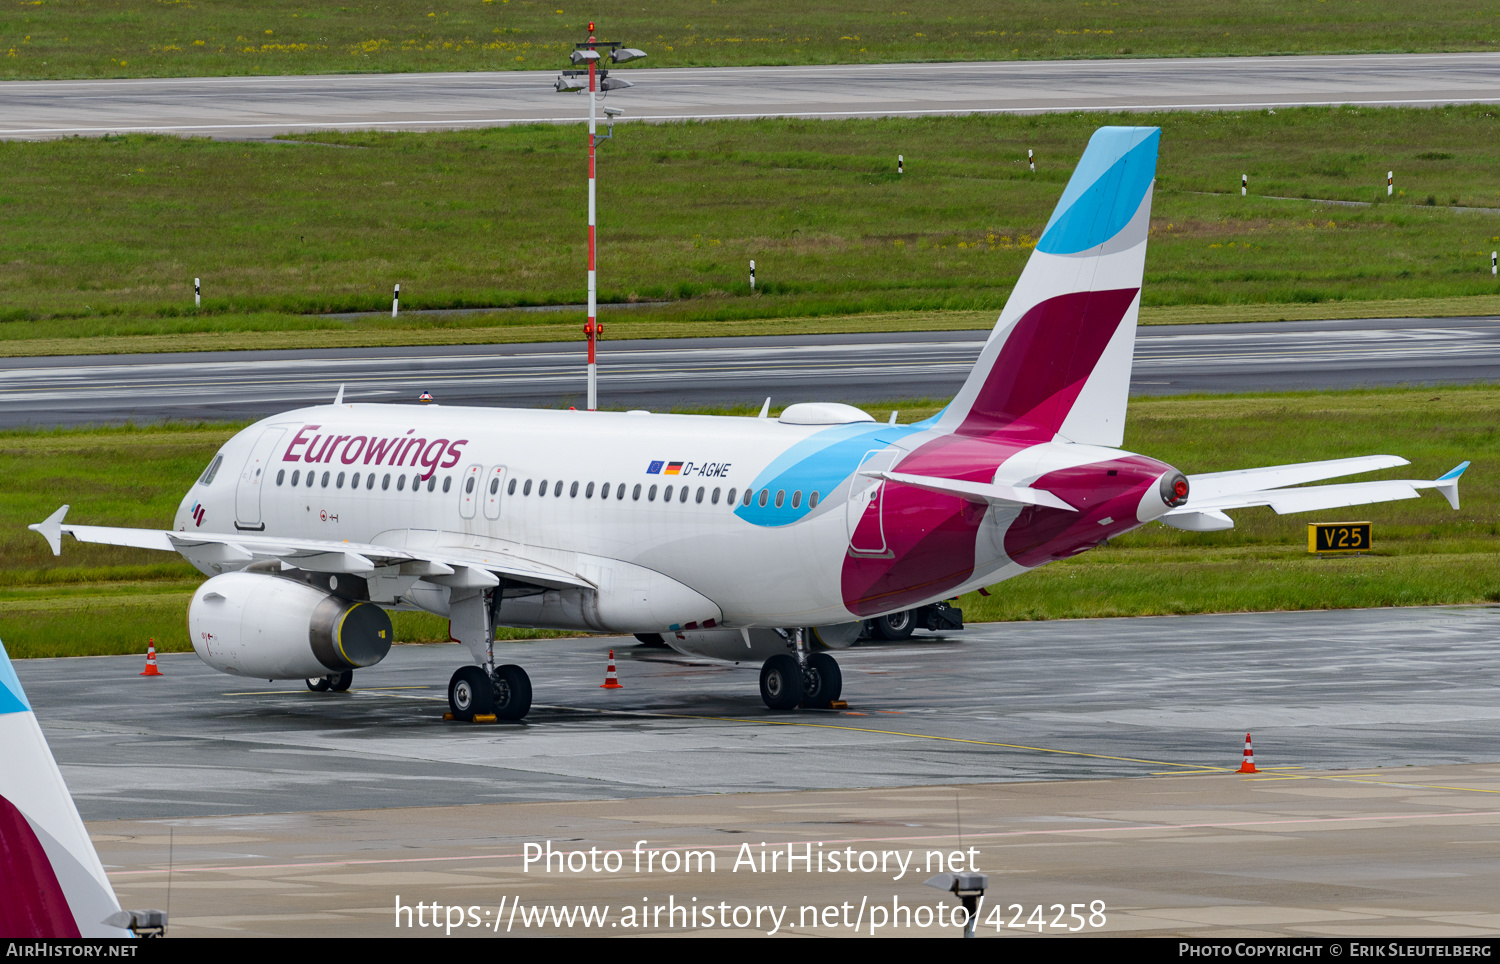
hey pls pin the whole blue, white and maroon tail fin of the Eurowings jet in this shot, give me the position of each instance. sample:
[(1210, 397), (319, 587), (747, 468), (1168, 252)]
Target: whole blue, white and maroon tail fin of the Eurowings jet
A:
[(1060, 359)]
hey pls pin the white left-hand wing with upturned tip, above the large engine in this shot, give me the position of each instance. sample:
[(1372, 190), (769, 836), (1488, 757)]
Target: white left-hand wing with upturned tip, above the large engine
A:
[(449, 566)]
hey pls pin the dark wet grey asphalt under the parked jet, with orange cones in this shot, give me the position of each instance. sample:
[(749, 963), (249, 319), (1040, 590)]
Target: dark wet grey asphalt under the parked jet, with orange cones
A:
[(997, 702)]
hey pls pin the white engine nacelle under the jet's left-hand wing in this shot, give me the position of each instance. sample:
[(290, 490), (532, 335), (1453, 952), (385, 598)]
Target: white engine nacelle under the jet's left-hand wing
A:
[(266, 627)]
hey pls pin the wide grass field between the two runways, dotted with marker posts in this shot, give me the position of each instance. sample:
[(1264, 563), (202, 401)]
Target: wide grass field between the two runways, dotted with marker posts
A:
[(103, 238)]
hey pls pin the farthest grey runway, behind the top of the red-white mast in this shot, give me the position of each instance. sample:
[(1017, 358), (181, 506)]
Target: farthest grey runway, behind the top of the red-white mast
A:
[(263, 107)]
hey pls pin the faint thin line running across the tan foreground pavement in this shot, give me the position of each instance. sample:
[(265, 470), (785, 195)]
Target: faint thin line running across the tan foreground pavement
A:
[(847, 842)]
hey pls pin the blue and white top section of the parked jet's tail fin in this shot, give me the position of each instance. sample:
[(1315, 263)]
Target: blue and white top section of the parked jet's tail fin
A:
[(1105, 193)]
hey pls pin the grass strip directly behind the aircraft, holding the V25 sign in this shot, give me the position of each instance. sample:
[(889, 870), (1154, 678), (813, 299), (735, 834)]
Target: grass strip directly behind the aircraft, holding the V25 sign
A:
[(98, 599)]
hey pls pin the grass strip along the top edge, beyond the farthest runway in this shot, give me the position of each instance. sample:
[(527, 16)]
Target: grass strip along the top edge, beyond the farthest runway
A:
[(209, 38)]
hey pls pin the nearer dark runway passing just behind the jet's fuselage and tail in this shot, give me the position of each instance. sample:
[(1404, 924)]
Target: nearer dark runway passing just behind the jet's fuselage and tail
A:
[(701, 373)]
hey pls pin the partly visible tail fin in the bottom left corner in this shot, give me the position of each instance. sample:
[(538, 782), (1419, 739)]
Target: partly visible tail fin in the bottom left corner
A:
[(52, 881)]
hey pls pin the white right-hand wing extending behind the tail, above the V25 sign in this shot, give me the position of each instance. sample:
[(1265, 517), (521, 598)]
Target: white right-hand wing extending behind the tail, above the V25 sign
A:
[(1217, 492)]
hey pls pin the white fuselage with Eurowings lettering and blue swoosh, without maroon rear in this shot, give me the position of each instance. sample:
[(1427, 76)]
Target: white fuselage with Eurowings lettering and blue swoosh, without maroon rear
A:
[(661, 492)]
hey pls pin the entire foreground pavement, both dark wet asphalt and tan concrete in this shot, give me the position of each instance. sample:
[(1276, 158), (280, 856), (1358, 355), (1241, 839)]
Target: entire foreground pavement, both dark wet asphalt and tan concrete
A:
[(253, 809)]
